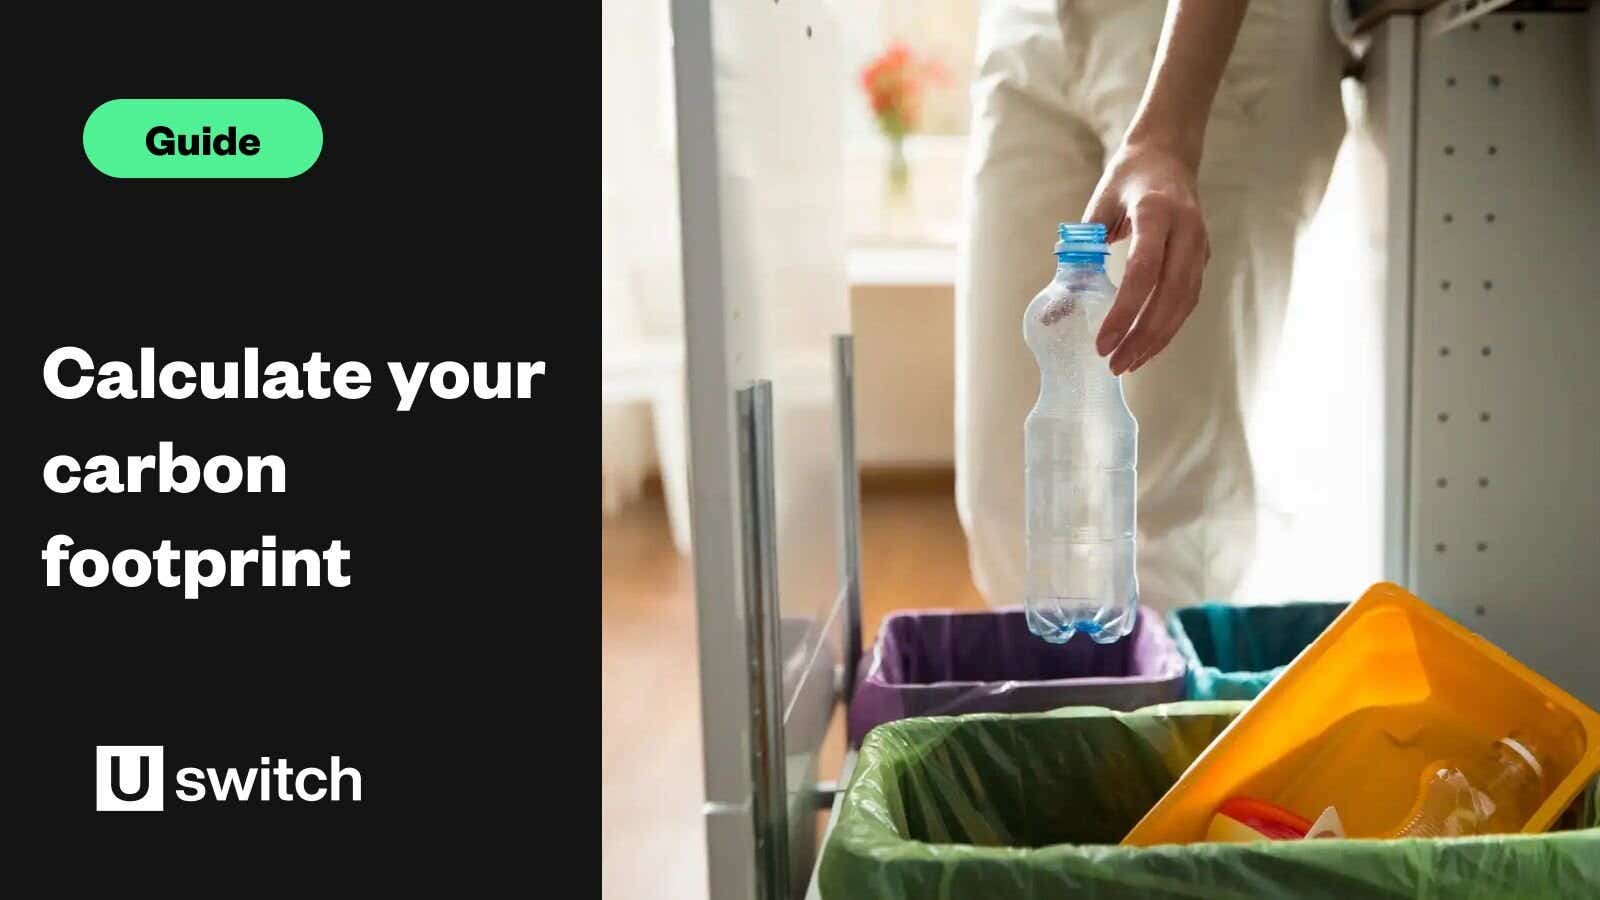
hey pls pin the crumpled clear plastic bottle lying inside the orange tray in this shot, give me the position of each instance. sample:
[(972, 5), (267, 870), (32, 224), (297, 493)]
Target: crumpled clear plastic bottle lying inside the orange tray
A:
[(1495, 794)]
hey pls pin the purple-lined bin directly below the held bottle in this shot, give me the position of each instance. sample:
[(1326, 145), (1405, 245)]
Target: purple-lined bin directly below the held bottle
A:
[(950, 664)]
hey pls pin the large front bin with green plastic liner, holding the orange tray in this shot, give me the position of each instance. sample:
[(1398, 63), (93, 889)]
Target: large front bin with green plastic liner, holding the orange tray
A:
[(1001, 808)]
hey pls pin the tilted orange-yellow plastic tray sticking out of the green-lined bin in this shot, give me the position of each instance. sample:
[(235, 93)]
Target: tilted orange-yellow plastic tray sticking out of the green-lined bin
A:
[(1391, 686)]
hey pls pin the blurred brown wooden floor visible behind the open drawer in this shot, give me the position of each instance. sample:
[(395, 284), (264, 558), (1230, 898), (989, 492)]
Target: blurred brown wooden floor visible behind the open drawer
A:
[(650, 745)]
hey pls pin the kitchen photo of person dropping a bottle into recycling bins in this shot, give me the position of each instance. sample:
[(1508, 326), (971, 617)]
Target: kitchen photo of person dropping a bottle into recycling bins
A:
[(1100, 448)]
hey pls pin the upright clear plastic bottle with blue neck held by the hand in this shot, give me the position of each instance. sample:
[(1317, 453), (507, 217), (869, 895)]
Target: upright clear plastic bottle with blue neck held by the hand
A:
[(1082, 448)]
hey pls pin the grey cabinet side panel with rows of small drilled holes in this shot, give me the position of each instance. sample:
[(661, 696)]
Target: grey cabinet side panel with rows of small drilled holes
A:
[(1505, 515)]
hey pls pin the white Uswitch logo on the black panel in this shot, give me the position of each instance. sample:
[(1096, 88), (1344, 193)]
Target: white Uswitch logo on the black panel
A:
[(130, 779)]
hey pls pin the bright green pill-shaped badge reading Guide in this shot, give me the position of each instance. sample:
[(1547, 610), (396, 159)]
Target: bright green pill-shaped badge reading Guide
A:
[(202, 139)]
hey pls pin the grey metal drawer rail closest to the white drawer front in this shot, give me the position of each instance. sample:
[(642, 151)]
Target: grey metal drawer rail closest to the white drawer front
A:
[(769, 777)]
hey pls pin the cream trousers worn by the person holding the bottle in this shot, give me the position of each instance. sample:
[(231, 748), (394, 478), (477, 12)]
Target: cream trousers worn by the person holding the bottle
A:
[(1057, 86)]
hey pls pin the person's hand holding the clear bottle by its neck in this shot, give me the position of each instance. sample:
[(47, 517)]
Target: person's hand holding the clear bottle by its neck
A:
[(1150, 195)]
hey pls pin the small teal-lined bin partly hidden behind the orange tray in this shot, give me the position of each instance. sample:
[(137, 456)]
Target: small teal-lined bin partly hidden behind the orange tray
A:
[(1236, 653)]
